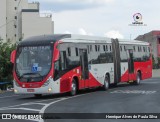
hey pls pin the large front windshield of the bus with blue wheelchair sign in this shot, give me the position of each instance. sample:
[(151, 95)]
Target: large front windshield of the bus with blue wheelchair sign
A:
[(33, 62)]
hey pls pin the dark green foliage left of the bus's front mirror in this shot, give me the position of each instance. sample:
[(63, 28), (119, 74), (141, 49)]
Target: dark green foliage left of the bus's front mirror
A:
[(5, 64)]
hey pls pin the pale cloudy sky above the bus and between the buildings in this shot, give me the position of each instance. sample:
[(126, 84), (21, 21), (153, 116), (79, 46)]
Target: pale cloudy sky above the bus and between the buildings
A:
[(109, 18)]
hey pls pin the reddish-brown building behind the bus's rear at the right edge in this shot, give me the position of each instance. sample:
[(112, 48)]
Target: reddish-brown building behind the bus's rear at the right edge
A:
[(153, 38)]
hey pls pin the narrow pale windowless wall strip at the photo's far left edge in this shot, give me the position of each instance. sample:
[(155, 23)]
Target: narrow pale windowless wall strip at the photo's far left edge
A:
[(3, 20)]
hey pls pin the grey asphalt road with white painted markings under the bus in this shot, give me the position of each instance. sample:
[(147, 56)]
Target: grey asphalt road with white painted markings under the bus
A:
[(144, 98)]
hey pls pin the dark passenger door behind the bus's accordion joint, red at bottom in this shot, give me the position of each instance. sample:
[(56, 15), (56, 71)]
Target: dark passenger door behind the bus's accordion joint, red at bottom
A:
[(130, 65)]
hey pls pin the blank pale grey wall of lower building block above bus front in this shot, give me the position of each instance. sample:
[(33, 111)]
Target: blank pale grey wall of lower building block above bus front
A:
[(33, 24)]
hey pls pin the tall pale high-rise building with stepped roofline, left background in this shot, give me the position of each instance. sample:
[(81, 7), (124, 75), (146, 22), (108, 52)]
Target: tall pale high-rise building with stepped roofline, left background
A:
[(20, 19)]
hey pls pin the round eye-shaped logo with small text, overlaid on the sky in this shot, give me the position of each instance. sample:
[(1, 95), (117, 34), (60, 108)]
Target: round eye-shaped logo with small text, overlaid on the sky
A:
[(138, 20)]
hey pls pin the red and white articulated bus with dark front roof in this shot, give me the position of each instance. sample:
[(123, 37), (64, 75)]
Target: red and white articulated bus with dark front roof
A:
[(62, 63)]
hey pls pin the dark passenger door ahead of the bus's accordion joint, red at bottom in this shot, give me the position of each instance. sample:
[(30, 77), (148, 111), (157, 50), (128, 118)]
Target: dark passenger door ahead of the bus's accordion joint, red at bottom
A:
[(84, 67)]
